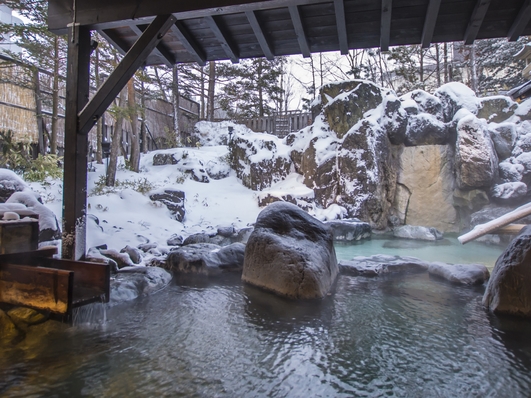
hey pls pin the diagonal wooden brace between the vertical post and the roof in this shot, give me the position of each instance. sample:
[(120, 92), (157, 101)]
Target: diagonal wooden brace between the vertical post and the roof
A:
[(134, 58)]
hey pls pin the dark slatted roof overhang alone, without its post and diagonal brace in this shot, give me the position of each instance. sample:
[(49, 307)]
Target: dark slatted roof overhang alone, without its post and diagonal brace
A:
[(208, 30)]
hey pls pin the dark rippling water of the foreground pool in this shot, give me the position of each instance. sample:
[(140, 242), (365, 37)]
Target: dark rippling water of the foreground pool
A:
[(392, 336)]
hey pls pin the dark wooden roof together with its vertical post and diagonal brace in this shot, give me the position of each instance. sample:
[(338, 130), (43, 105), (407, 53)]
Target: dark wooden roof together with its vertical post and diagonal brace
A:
[(151, 32)]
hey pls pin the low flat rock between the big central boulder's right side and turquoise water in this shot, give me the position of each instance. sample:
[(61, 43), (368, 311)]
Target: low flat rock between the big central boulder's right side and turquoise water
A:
[(381, 264)]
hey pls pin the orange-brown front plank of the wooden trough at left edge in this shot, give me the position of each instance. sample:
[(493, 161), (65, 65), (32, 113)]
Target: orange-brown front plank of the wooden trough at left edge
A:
[(36, 287)]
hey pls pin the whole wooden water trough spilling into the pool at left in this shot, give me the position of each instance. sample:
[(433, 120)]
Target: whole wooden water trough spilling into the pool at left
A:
[(34, 278)]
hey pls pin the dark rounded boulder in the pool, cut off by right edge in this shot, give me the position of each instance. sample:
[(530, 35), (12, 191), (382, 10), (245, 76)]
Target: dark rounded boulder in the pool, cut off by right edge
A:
[(508, 289)]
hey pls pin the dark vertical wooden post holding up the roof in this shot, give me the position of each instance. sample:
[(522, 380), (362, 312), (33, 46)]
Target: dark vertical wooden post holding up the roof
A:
[(76, 144)]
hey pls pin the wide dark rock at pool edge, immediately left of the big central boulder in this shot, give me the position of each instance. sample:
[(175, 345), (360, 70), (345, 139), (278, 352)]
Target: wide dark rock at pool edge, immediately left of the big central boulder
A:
[(207, 259)]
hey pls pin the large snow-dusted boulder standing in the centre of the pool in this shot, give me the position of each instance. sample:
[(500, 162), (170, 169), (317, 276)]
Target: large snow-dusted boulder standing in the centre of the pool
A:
[(290, 253)]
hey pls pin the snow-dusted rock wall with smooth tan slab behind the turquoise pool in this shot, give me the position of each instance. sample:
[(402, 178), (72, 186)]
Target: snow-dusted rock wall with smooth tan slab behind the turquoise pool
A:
[(420, 159)]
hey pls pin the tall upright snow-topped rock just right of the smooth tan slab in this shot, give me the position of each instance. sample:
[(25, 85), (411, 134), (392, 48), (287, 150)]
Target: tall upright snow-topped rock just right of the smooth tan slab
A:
[(476, 160)]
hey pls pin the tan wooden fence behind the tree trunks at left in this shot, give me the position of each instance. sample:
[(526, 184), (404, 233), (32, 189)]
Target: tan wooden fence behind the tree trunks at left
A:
[(26, 110)]
